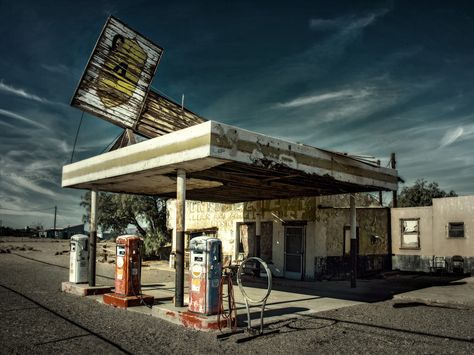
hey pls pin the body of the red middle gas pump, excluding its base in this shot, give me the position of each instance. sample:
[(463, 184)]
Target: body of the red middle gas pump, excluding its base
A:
[(128, 265)]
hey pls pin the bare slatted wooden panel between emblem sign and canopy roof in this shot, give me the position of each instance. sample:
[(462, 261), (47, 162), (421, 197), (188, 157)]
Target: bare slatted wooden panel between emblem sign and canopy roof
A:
[(161, 116)]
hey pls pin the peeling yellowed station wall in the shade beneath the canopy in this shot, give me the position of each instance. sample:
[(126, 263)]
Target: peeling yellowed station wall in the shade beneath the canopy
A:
[(324, 219)]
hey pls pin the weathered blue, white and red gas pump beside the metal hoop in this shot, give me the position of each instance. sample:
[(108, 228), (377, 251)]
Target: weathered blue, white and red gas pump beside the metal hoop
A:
[(205, 274)]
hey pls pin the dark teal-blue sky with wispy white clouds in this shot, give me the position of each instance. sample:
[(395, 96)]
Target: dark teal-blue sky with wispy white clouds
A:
[(365, 77)]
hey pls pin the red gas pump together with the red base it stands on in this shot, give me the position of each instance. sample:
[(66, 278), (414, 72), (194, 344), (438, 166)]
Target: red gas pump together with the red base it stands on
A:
[(127, 274)]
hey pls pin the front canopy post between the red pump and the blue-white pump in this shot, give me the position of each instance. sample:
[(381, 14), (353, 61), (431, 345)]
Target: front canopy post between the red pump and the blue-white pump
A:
[(180, 228)]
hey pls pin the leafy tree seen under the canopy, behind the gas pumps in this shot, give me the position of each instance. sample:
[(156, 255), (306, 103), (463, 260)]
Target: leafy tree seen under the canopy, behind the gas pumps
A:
[(146, 213)]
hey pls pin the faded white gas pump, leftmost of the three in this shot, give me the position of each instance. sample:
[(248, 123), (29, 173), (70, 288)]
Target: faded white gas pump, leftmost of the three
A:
[(78, 259)]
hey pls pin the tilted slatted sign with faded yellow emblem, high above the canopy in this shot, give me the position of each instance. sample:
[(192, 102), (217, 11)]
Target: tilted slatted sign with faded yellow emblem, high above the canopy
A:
[(115, 83)]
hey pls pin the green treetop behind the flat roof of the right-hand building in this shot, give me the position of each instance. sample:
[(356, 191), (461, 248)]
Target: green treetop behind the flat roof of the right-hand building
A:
[(421, 194)]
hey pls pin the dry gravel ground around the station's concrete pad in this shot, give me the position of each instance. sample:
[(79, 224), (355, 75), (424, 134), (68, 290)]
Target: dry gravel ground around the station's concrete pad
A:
[(40, 319)]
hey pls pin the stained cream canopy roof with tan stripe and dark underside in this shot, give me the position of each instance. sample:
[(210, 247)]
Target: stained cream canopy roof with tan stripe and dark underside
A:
[(227, 164)]
